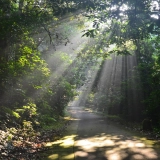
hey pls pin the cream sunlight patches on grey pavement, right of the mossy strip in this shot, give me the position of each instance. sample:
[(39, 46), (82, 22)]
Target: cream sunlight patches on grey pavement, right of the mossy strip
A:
[(115, 147)]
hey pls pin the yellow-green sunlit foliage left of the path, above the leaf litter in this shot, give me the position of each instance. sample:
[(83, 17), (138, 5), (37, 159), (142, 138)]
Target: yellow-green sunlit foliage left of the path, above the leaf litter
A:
[(27, 90)]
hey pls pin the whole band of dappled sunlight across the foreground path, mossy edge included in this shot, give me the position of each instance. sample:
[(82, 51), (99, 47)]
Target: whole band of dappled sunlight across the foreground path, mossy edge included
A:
[(105, 146)]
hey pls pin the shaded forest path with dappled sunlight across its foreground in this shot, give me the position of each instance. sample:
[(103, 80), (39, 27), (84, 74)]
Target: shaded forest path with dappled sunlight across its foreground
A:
[(91, 136)]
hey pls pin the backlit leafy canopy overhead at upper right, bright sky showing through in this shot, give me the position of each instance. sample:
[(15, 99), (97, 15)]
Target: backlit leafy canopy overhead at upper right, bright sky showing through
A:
[(134, 20)]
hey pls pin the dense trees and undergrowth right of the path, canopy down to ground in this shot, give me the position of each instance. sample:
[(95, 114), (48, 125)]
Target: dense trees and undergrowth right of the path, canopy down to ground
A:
[(134, 26)]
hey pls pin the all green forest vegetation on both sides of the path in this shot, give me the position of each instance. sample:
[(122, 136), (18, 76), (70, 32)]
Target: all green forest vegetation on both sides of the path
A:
[(32, 96)]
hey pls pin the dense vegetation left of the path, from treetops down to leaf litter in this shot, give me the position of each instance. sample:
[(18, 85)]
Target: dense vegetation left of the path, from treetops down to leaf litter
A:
[(33, 91)]
